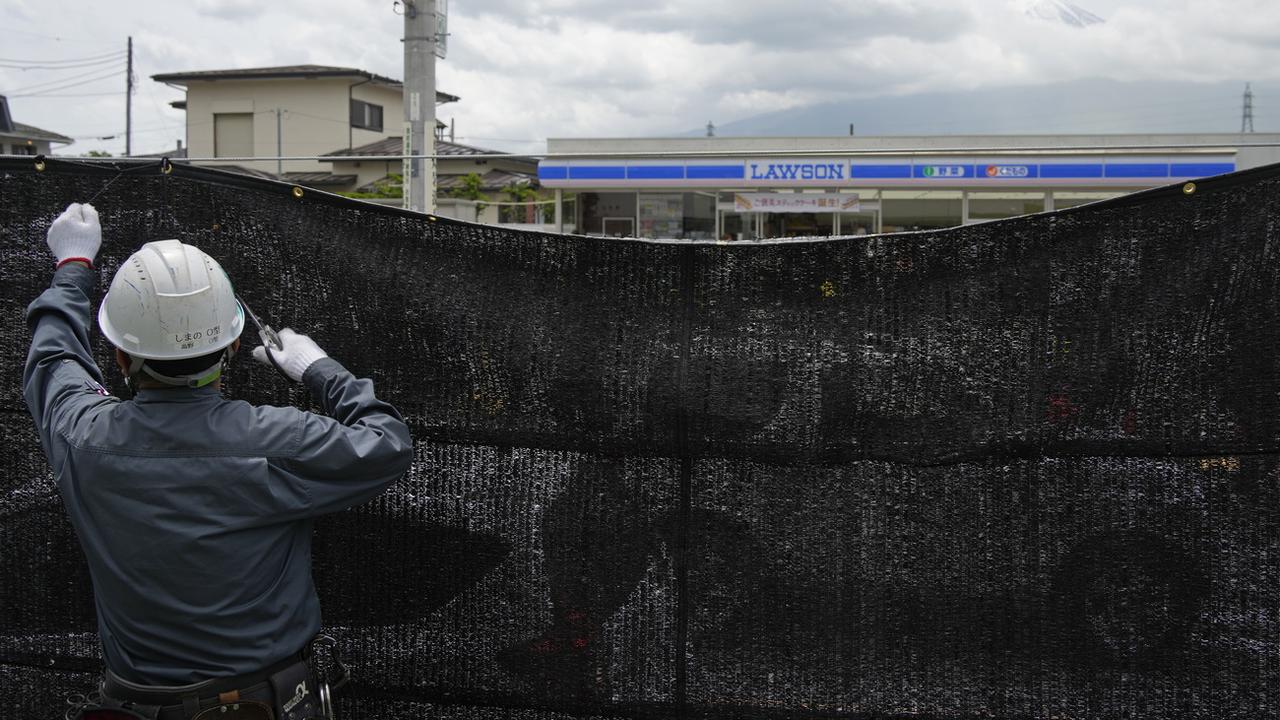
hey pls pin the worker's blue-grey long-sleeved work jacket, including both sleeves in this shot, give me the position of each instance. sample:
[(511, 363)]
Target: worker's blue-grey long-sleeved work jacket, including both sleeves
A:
[(195, 512)]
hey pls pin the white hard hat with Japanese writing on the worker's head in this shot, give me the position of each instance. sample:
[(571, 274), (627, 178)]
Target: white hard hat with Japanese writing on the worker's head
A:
[(171, 302)]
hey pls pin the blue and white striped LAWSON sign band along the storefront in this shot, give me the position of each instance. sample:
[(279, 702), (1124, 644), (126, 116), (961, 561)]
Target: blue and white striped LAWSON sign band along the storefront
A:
[(835, 172)]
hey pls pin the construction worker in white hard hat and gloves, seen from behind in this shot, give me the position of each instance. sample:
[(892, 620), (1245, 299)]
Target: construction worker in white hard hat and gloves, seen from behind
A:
[(195, 512)]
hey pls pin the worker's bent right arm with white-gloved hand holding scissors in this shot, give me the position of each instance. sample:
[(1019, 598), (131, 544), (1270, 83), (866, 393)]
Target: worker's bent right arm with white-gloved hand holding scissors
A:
[(355, 453)]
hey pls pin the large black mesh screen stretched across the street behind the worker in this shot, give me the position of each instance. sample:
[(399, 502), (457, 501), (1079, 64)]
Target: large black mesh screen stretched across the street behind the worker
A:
[(1020, 470)]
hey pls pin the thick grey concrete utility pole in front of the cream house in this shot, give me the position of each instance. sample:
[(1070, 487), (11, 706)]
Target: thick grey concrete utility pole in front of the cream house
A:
[(420, 106)]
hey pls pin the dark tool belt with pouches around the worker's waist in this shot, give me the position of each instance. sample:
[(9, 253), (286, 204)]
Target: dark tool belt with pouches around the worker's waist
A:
[(295, 689)]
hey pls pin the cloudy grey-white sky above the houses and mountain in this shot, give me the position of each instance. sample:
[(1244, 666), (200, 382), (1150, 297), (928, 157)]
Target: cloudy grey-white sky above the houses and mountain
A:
[(532, 70)]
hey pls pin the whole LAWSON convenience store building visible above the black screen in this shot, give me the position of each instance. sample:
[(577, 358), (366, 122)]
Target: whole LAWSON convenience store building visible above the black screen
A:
[(755, 189)]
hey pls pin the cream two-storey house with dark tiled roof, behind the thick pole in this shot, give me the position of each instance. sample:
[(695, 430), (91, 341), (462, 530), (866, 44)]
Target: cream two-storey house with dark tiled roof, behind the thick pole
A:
[(243, 120)]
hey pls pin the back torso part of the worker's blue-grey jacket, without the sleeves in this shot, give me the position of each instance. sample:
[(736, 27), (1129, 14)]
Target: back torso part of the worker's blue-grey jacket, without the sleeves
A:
[(198, 536)]
